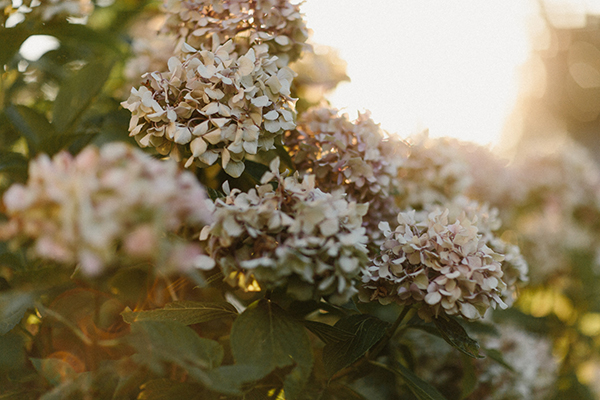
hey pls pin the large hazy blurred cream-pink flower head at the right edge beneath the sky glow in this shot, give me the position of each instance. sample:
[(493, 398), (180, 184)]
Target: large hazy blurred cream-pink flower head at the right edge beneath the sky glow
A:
[(557, 211)]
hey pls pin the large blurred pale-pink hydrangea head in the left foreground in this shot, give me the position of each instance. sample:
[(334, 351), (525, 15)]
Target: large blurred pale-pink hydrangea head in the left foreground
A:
[(107, 207)]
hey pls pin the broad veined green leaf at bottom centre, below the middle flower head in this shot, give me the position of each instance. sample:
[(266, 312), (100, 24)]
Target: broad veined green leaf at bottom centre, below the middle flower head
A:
[(266, 337)]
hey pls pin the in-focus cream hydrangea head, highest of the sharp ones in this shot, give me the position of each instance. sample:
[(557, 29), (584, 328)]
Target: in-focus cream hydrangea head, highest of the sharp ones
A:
[(214, 104)]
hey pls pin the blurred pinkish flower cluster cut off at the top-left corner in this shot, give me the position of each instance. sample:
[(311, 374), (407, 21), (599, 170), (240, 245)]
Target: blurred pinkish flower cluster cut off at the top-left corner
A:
[(46, 10)]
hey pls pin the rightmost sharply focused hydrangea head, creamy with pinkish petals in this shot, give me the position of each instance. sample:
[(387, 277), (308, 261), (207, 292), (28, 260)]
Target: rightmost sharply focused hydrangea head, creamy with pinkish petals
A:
[(443, 265)]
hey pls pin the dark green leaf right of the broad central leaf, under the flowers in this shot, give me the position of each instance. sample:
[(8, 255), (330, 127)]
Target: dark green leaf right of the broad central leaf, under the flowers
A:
[(366, 331)]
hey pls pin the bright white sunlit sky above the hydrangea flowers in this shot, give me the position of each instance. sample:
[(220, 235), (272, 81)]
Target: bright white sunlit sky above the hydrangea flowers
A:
[(450, 66)]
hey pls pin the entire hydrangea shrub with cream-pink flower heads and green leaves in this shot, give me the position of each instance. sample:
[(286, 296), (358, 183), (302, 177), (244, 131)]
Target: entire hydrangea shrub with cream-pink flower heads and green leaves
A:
[(177, 223)]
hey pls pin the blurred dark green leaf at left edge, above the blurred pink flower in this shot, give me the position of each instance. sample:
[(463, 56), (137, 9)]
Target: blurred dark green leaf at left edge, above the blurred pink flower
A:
[(33, 126)]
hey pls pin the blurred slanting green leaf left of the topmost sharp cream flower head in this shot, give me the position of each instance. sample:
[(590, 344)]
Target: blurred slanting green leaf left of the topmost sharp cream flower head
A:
[(76, 93)]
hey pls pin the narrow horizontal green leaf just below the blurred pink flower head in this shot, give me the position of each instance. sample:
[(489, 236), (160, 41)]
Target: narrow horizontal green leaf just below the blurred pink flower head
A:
[(186, 312)]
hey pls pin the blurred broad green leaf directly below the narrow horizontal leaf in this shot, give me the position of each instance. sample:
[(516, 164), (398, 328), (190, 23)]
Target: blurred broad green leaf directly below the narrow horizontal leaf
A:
[(158, 342)]
